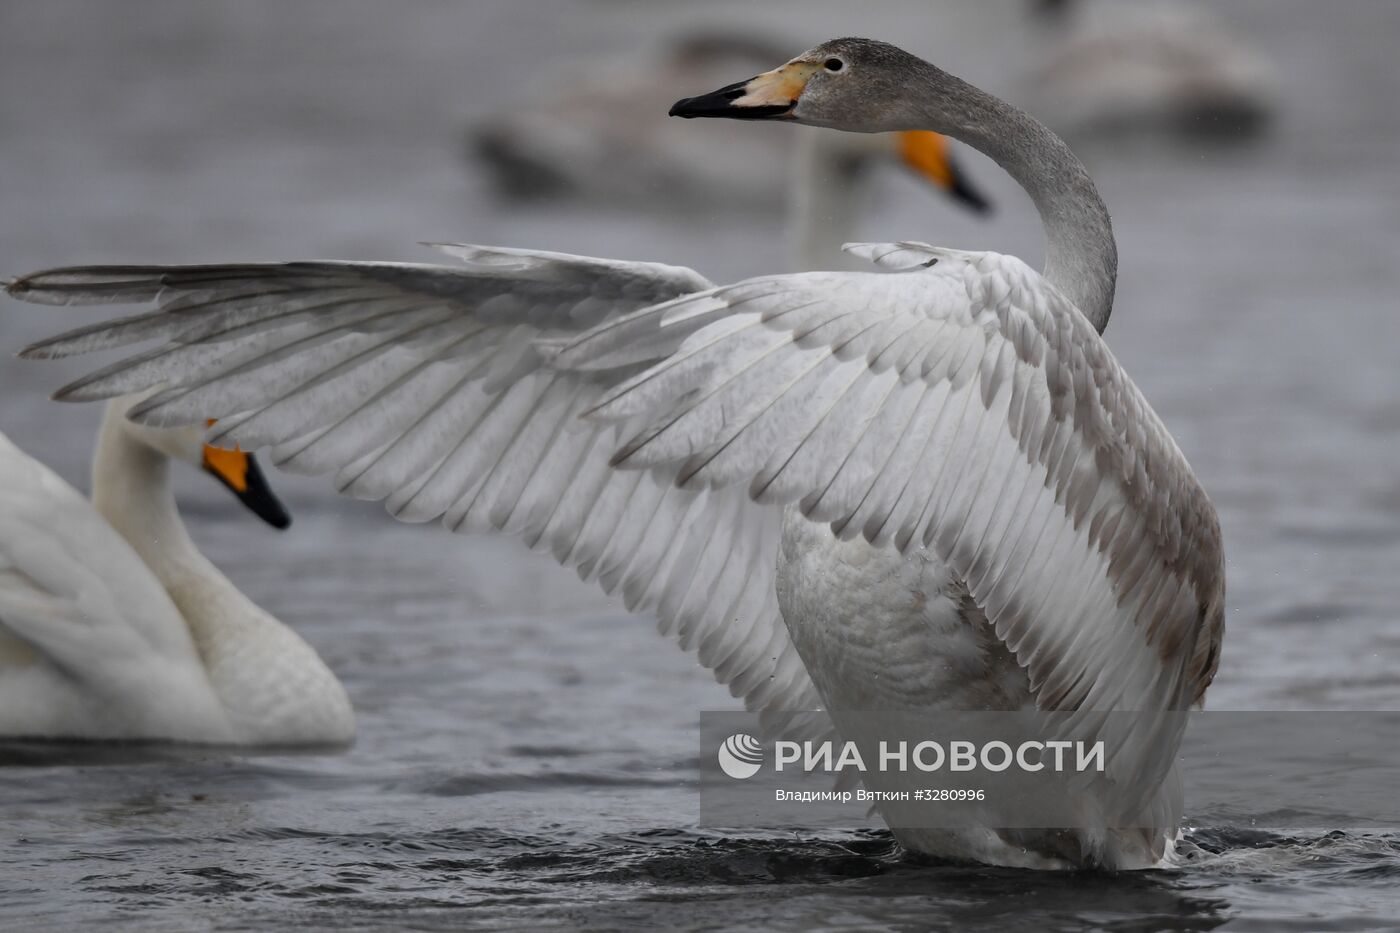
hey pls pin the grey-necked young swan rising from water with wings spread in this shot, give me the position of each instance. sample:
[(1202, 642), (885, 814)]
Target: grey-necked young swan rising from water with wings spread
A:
[(929, 487)]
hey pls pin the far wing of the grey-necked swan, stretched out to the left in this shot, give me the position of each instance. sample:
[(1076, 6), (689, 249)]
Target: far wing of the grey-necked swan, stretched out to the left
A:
[(423, 386)]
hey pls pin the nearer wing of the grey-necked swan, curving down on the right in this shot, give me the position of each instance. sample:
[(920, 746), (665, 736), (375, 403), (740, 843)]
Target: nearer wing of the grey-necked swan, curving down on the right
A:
[(967, 408)]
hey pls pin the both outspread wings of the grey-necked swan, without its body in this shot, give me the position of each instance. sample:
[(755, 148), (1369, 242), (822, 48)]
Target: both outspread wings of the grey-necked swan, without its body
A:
[(964, 407)]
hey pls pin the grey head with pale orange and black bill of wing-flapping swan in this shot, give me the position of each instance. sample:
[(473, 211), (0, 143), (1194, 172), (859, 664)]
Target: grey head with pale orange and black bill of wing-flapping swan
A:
[(862, 86)]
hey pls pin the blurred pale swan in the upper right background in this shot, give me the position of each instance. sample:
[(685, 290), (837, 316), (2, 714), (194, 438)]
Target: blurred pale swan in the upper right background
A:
[(1177, 68)]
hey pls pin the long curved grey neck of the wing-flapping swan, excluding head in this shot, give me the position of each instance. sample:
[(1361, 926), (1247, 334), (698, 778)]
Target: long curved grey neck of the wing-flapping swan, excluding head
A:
[(1081, 257)]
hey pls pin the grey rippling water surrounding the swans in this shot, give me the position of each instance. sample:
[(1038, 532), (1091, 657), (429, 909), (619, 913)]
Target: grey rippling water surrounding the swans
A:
[(527, 752)]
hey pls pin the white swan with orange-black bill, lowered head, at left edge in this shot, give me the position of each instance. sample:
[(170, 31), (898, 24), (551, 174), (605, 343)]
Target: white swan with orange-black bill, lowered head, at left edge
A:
[(114, 627)]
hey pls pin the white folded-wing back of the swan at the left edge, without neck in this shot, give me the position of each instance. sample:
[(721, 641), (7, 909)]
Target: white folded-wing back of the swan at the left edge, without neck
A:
[(92, 647)]
